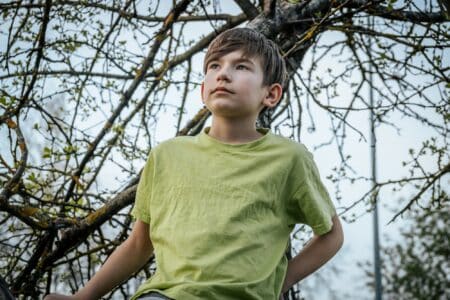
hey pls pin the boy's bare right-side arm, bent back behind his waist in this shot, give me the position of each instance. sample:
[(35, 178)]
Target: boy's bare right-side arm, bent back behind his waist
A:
[(319, 250)]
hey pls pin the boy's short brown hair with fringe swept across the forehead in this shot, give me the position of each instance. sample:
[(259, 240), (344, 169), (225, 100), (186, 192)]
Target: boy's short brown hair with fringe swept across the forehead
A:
[(252, 44)]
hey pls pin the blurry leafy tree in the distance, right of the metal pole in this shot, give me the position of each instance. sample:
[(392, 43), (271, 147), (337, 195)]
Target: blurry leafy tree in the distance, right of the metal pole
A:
[(418, 266)]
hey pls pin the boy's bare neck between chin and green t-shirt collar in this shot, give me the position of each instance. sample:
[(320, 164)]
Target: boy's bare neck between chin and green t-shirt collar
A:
[(233, 132)]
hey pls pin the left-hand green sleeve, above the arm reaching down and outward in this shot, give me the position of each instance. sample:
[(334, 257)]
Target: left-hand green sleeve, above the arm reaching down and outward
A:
[(141, 209)]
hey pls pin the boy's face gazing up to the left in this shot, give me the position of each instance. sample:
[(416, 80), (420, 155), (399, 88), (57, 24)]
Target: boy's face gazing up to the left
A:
[(233, 87)]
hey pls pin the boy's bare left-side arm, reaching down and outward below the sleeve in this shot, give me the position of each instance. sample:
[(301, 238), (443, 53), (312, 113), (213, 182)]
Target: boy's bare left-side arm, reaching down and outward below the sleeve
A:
[(129, 257)]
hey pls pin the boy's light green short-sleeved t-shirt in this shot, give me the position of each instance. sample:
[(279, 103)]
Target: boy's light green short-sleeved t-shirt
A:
[(220, 214)]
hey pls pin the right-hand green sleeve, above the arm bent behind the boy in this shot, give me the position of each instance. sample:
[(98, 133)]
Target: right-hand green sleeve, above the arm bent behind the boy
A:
[(311, 203)]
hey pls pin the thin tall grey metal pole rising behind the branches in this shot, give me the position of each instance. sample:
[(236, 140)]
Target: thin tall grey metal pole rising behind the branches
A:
[(373, 148)]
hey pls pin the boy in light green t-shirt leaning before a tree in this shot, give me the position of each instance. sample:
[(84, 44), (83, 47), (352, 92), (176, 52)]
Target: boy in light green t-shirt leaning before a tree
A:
[(217, 209)]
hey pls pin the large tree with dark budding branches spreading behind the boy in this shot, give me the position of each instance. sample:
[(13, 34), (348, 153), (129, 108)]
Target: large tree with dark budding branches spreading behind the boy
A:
[(122, 69)]
